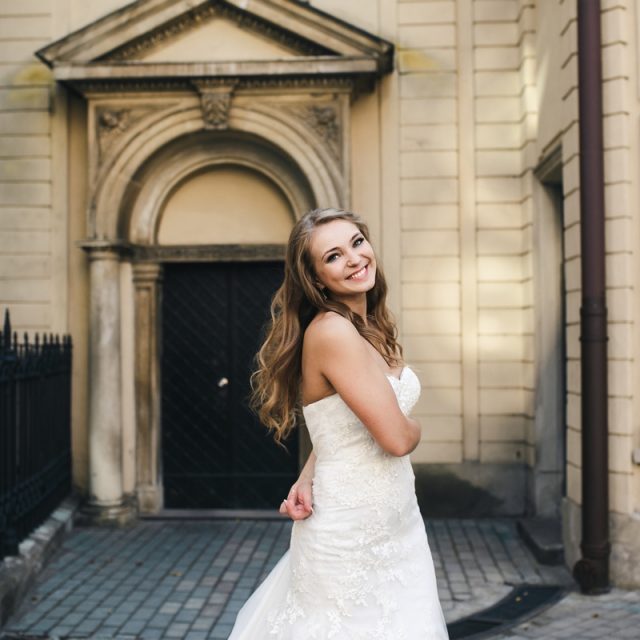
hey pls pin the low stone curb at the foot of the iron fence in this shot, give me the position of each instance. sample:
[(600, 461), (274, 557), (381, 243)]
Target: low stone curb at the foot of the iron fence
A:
[(18, 573)]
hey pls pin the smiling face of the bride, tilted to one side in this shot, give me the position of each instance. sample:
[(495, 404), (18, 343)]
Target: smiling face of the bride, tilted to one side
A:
[(343, 259)]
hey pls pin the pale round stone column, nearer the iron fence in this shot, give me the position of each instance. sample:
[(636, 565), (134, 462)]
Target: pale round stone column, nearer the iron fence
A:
[(107, 503)]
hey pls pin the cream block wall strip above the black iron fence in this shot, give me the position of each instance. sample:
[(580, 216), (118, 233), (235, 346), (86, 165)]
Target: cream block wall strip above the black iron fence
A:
[(27, 224)]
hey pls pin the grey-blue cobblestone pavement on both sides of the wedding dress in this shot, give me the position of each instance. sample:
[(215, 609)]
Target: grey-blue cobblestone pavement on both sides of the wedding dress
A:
[(188, 579)]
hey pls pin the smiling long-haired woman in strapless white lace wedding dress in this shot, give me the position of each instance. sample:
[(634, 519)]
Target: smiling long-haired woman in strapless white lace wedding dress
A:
[(359, 565)]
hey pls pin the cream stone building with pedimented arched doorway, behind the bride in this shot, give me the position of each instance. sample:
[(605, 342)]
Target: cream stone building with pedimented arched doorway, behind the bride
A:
[(154, 155)]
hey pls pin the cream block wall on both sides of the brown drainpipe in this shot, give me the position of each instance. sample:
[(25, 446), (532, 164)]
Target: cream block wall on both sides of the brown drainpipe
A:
[(620, 106)]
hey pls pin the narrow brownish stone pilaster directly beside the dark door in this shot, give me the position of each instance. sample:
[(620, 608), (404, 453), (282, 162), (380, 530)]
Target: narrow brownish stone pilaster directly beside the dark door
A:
[(147, 278)]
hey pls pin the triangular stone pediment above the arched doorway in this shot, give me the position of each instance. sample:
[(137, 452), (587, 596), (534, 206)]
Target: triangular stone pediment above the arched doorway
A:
[(197, 37)]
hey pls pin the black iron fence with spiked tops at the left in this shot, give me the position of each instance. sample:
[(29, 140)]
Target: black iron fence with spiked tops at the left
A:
[(35, 431)]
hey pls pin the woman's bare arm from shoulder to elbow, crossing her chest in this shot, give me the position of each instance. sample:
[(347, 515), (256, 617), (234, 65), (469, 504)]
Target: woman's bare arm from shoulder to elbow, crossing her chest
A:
[(346, 361)]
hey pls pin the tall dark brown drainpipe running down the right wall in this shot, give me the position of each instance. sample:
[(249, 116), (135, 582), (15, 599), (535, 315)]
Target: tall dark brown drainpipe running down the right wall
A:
[(592, 570)]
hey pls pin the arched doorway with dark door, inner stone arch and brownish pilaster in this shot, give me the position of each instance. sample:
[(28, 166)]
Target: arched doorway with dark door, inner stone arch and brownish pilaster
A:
[(208, 215)]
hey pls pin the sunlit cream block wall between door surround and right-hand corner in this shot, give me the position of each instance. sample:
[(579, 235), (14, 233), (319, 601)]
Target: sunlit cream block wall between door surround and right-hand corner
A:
[(466, 299)]
